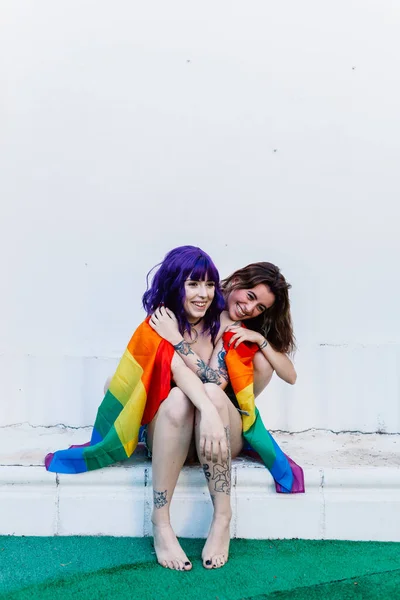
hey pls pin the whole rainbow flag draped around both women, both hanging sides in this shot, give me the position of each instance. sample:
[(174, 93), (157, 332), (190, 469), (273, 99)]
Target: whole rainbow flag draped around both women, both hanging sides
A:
[(141, 382)]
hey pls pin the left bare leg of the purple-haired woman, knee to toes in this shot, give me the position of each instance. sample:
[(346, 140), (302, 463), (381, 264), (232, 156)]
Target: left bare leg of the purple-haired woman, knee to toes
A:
[(169, 436)]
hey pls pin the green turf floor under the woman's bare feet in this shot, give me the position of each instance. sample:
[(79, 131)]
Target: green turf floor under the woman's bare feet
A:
[(111, 568)]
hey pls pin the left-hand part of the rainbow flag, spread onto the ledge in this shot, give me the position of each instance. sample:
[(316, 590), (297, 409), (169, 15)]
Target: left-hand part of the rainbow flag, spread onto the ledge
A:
[(141, 382)]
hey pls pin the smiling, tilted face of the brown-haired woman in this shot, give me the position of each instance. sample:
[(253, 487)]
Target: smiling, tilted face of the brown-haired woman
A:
[(247, 304)]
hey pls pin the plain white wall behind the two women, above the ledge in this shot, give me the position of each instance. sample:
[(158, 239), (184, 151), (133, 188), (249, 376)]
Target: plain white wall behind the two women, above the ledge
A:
[(258, 130)]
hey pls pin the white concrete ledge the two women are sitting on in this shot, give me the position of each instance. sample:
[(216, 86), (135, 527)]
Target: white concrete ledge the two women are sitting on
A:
[(342, 500)]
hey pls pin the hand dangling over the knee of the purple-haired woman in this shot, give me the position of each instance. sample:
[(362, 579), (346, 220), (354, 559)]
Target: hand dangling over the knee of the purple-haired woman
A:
[(213, 440)]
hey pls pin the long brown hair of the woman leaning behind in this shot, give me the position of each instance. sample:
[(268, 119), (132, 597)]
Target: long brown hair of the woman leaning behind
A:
[(275, 323)]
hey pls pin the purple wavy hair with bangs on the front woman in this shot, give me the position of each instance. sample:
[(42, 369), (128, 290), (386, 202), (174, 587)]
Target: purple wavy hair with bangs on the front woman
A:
[(168, 286)]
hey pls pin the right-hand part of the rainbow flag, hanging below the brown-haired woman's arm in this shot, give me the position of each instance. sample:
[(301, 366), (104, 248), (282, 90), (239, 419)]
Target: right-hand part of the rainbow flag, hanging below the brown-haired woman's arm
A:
[(288, 476)]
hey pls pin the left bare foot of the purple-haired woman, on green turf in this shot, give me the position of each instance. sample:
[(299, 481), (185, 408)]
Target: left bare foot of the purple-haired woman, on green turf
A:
[(168, 550)]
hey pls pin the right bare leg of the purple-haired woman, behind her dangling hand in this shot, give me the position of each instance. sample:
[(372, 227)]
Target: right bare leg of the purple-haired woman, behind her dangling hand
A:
[(216, 550)]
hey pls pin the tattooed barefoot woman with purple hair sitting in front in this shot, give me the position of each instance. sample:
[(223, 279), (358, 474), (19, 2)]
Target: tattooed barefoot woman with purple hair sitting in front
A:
[(187, 286)]
